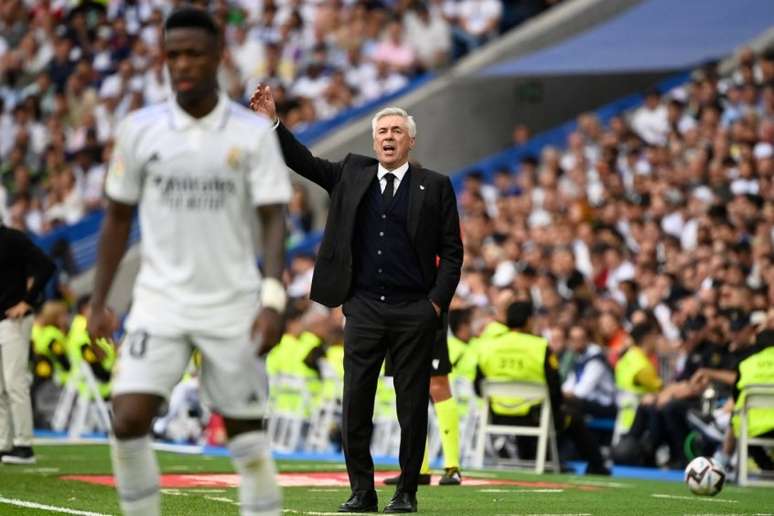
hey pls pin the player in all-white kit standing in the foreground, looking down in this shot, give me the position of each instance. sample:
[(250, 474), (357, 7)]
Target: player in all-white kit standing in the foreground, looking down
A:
[(200, 168)]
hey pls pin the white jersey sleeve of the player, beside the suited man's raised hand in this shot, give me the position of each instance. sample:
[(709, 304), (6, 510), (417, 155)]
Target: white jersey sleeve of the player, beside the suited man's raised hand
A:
[(269, 176)]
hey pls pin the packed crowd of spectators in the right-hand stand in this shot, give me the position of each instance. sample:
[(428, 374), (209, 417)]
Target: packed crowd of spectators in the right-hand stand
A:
[(653, 231)]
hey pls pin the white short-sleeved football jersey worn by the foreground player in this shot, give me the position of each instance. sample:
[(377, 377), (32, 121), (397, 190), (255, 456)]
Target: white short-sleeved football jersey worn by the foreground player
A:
[(197, 183)]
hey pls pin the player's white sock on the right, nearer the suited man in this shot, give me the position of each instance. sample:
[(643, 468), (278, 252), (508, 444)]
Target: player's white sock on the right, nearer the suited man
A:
[(259, 493)]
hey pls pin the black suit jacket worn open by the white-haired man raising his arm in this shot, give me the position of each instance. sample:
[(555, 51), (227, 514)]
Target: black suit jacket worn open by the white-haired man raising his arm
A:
[(433, 222)]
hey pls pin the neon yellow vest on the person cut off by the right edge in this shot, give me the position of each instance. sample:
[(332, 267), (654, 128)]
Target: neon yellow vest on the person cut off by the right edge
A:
[(756, 369)]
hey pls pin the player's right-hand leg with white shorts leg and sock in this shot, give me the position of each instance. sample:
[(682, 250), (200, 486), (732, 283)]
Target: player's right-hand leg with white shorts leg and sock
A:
[(234, 383)]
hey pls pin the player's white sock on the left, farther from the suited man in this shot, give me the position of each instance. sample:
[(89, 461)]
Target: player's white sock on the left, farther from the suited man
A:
[(137, 476)]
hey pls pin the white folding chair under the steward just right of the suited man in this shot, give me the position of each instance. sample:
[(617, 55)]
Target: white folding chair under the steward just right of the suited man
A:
[(531, 393)]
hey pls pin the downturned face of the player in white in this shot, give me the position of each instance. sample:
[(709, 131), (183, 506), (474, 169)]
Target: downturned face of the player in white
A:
[(192, 57)]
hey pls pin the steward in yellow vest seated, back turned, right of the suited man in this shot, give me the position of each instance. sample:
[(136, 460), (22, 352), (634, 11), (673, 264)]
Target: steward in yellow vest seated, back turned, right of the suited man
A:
[(520, 356)]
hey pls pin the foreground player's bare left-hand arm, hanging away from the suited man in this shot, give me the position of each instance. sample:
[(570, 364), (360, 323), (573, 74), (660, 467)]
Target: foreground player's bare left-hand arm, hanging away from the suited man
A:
[(112, 244)]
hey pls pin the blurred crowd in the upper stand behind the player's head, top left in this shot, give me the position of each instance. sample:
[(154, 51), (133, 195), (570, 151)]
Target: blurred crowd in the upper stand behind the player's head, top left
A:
[(70, 71)]
